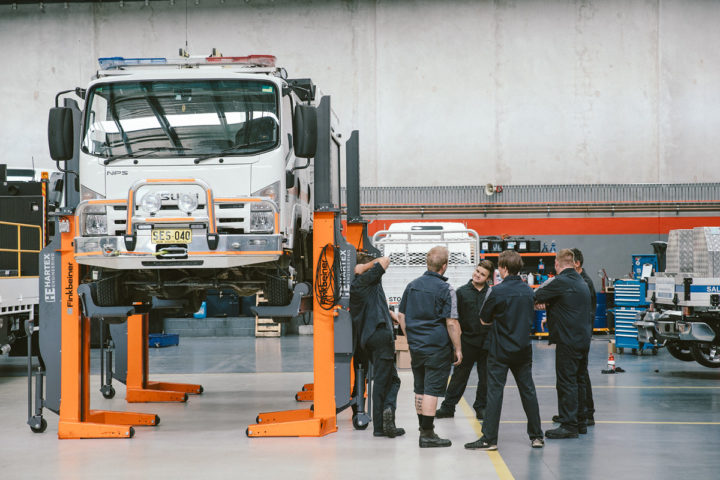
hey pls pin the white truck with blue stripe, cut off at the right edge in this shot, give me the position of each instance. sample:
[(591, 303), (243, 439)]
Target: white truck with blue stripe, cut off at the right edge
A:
[(684, 313)]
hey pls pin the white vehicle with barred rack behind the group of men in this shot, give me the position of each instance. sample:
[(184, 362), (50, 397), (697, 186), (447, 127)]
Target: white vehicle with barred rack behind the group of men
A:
[(407, 244)]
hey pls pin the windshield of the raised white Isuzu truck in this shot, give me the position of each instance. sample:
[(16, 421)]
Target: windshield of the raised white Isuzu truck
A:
[(162, 119)]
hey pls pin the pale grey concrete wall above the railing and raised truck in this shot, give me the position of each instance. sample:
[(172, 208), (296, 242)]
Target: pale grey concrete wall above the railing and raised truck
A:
[(444, 93)]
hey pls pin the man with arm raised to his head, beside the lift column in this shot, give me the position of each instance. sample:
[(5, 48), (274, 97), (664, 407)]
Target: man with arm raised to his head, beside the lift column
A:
[(374, 332)]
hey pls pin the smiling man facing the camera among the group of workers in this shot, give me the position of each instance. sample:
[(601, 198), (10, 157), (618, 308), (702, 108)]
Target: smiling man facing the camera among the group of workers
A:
[(471, 298)]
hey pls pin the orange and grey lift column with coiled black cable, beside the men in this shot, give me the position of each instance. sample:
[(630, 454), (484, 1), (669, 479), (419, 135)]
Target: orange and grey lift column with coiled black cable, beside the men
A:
[(328, 315)]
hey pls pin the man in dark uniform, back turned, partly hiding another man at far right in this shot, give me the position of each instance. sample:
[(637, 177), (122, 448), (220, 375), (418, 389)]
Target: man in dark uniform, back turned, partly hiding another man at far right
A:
[(567, 300)]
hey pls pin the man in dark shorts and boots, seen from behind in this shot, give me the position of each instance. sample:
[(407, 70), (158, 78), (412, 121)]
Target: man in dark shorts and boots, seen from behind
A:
[(428, 316)]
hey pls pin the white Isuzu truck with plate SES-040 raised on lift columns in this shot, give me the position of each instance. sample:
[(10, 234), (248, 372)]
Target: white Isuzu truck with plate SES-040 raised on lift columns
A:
[(192, 174)]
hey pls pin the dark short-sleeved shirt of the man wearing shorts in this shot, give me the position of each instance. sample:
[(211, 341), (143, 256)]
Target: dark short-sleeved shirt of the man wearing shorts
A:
[(426, 302)]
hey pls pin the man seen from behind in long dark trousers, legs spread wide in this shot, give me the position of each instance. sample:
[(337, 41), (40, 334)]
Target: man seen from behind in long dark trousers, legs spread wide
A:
[(510, 310)]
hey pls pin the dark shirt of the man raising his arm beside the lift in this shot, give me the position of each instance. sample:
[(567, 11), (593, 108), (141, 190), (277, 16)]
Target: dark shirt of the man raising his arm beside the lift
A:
[(368, 305)]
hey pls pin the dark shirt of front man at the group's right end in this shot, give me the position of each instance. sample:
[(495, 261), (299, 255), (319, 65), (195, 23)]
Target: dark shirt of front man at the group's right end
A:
[(568, 308)]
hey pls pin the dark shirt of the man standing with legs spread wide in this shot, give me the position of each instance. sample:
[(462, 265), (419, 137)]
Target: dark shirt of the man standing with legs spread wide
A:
[(510, 308)]
